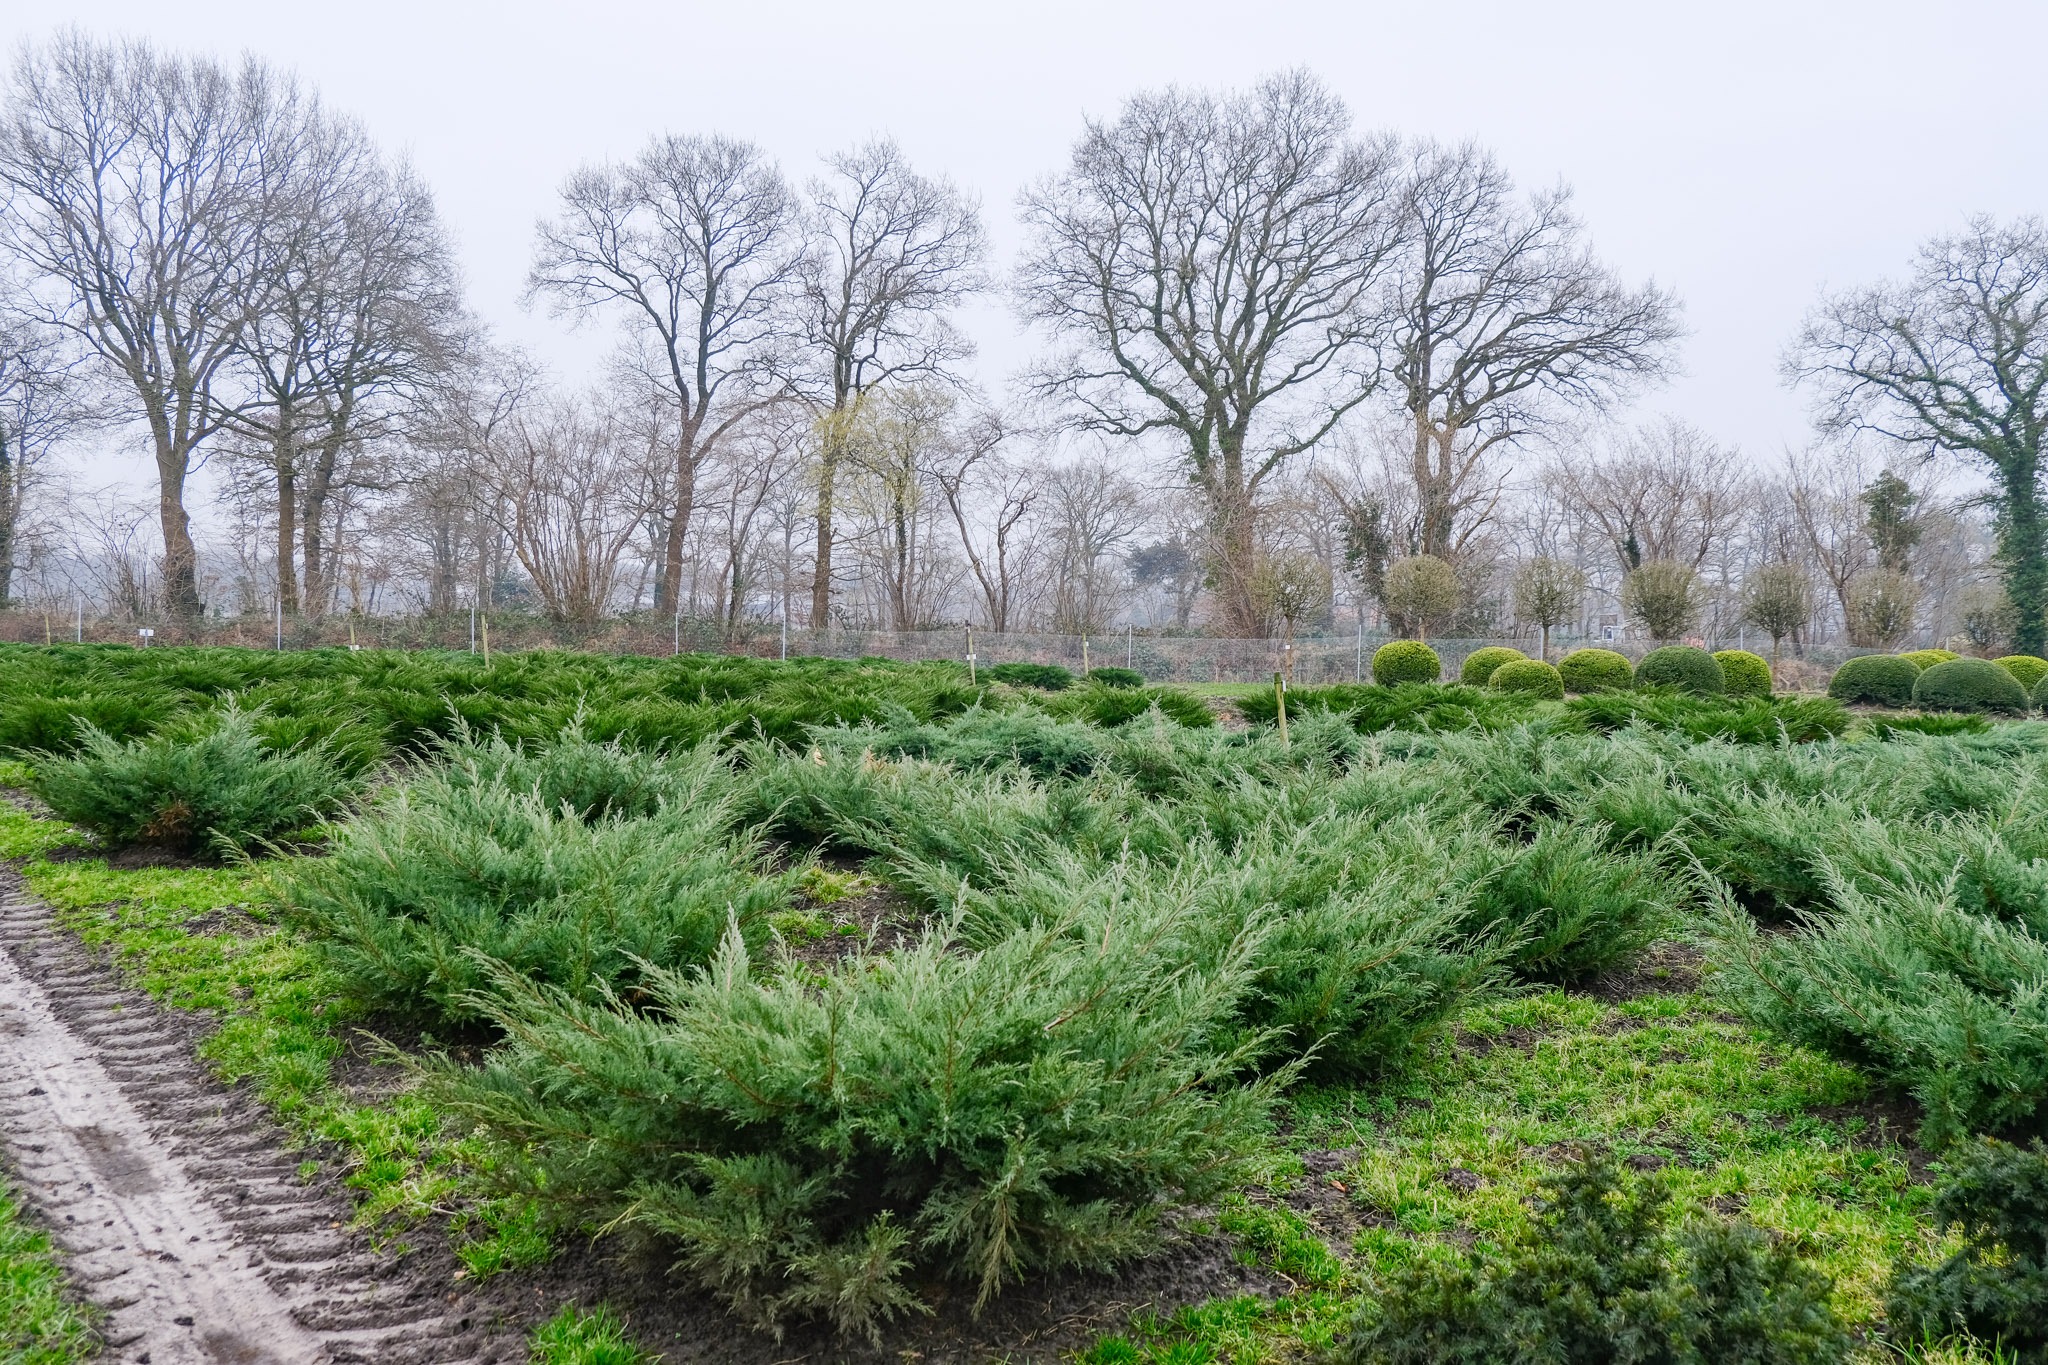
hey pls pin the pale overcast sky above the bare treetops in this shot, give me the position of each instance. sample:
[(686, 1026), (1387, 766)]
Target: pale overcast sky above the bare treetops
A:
[(1742, 152)]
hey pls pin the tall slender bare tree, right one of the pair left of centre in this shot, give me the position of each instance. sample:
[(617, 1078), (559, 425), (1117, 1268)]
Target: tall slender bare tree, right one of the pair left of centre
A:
[(890, 255)]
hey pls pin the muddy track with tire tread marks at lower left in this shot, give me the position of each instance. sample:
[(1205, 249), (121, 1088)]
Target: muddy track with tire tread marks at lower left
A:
[(175, 1200)]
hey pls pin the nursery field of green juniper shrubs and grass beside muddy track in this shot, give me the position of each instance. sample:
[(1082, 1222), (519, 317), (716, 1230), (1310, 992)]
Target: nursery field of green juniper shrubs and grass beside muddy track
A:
[(726, 1010)]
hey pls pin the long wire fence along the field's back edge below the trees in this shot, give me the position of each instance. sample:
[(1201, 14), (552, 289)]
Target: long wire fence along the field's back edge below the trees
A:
[(1160, 658)]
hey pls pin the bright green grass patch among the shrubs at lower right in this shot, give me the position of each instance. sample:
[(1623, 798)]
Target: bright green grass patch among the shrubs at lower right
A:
[(1732, 1116)]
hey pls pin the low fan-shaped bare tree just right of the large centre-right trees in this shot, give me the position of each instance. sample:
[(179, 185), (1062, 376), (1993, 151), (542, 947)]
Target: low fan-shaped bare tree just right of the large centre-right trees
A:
[(1664, 490)]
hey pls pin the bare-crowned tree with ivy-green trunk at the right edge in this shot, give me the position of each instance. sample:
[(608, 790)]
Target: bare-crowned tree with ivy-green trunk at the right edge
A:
[(1955, 359)]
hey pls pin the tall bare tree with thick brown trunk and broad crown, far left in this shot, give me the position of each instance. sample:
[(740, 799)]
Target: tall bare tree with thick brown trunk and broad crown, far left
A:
[(138, 195)]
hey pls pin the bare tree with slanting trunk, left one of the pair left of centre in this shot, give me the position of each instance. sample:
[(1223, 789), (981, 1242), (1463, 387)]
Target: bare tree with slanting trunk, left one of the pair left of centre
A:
[(695, 245)]
